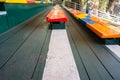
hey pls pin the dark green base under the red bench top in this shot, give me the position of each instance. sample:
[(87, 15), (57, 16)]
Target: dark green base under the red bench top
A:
[(57, 25)]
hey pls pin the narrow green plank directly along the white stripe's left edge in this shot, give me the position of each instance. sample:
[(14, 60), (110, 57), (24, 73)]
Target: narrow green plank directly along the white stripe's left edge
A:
[(41, 64)]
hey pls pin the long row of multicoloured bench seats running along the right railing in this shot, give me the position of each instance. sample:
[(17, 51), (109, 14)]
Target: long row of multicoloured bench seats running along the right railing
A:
[(104, 29)]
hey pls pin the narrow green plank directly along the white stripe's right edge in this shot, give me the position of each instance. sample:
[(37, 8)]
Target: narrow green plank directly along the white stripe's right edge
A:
[(82, 71)]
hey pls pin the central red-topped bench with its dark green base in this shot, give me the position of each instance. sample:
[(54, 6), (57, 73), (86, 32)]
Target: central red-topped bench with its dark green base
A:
[(57, 18)]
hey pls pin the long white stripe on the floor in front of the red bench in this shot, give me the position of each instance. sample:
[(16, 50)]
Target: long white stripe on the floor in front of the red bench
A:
[(60, 64)]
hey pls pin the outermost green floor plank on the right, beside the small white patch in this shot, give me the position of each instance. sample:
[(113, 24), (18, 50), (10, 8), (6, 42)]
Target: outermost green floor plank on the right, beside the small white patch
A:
[(105, 56)]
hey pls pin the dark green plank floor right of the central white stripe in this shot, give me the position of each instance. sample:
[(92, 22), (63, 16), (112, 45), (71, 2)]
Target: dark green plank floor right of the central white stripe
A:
[(94, 61)]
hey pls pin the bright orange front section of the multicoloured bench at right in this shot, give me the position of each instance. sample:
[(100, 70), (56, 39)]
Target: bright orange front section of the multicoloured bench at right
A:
[(104, 32)]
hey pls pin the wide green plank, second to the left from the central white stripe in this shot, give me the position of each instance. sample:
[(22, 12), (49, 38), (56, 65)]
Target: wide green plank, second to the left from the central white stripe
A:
[(22, 64)]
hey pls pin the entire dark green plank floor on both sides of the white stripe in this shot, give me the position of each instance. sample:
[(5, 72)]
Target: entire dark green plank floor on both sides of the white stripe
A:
[(23, 52)]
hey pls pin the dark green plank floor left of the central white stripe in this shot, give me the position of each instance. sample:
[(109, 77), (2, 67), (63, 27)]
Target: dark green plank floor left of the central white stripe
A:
[(23, 52)]
